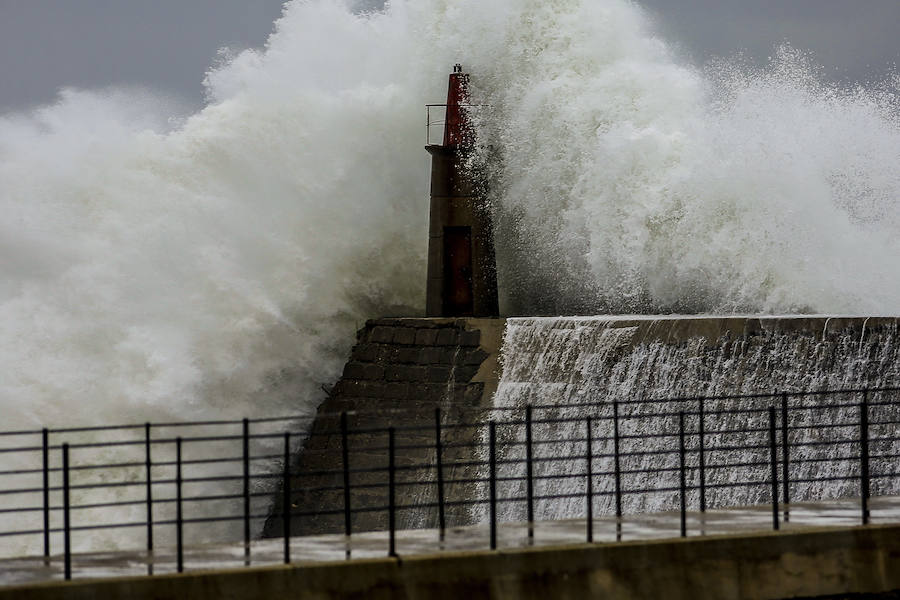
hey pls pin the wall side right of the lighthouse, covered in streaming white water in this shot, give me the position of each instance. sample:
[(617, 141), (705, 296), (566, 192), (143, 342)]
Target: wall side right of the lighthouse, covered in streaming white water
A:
[(576, 363)]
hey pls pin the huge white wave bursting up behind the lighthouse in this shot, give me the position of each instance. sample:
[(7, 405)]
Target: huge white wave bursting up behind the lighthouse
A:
[(159, 268)]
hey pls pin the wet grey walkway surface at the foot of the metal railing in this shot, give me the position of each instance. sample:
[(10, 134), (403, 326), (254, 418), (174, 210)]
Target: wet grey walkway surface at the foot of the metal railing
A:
[(427, 541)]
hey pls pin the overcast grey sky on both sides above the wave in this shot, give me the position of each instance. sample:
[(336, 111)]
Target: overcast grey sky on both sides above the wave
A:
[(169, 44)]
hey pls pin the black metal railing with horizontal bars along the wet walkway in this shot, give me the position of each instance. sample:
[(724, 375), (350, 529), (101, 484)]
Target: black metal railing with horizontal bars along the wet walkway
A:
[(495, 465)]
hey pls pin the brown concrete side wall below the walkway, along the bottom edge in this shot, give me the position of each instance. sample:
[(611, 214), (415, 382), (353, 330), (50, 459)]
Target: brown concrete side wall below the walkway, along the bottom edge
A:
[(763, 566)]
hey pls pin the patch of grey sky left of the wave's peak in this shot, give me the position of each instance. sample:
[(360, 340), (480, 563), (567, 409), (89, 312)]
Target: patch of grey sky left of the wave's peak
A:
[(164, 44)]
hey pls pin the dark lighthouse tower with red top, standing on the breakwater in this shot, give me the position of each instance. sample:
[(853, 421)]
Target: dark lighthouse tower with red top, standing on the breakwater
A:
[(462, 273)]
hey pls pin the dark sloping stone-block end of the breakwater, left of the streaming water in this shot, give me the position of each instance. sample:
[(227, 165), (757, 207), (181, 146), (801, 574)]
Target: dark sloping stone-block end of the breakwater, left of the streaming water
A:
[(398, 373)]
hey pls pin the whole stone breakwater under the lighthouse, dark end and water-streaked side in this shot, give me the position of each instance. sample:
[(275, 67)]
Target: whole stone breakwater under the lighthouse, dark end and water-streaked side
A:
[(577, 364)]
